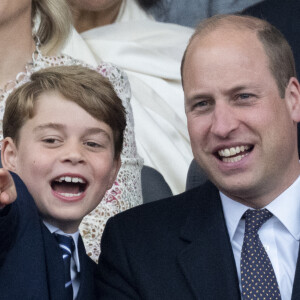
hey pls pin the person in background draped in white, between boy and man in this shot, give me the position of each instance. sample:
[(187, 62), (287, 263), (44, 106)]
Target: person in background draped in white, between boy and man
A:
[(120, 31)]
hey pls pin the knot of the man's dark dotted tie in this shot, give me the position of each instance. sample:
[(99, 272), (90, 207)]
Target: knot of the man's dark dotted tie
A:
[(255, 218)]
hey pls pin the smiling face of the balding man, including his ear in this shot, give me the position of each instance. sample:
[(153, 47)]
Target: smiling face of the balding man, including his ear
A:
[(242, 133)]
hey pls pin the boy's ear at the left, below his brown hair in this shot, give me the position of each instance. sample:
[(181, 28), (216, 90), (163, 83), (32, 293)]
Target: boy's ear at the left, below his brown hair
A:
[(9, 154)]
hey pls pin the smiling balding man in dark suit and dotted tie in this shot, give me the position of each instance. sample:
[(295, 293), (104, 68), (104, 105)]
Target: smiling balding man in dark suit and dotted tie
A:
[(236, 236)]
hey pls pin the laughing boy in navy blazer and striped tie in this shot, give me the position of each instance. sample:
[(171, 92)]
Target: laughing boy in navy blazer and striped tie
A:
[(63, 136)]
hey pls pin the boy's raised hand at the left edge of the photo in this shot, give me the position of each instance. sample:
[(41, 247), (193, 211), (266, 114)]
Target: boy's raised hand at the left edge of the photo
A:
[(8, 193)]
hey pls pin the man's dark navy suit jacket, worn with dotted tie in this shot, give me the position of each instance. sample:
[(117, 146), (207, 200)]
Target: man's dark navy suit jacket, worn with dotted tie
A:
[(176, 248)]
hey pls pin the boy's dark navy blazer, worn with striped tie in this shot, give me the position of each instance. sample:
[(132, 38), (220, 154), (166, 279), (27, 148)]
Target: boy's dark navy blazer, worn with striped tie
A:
[(31, 265)]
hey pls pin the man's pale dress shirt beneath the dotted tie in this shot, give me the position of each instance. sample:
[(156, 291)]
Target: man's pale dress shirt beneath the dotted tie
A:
[(280, 234)]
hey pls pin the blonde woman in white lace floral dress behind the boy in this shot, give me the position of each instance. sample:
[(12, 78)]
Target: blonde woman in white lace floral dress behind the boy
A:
[(33, 33)]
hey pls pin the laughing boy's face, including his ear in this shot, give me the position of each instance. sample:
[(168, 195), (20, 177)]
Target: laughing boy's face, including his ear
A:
[(66, 159)]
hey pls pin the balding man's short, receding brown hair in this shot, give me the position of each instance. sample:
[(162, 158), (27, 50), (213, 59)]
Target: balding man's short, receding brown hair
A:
[(277, 49)]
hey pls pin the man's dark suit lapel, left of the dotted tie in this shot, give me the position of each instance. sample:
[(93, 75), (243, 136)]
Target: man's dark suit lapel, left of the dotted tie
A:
[(207, 261)]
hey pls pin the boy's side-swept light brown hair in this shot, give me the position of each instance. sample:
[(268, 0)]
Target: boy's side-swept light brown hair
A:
[(81, 85)]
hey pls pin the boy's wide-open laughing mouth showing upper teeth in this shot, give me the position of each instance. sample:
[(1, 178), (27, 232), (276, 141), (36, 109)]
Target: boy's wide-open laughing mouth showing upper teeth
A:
[(69, 186)]
